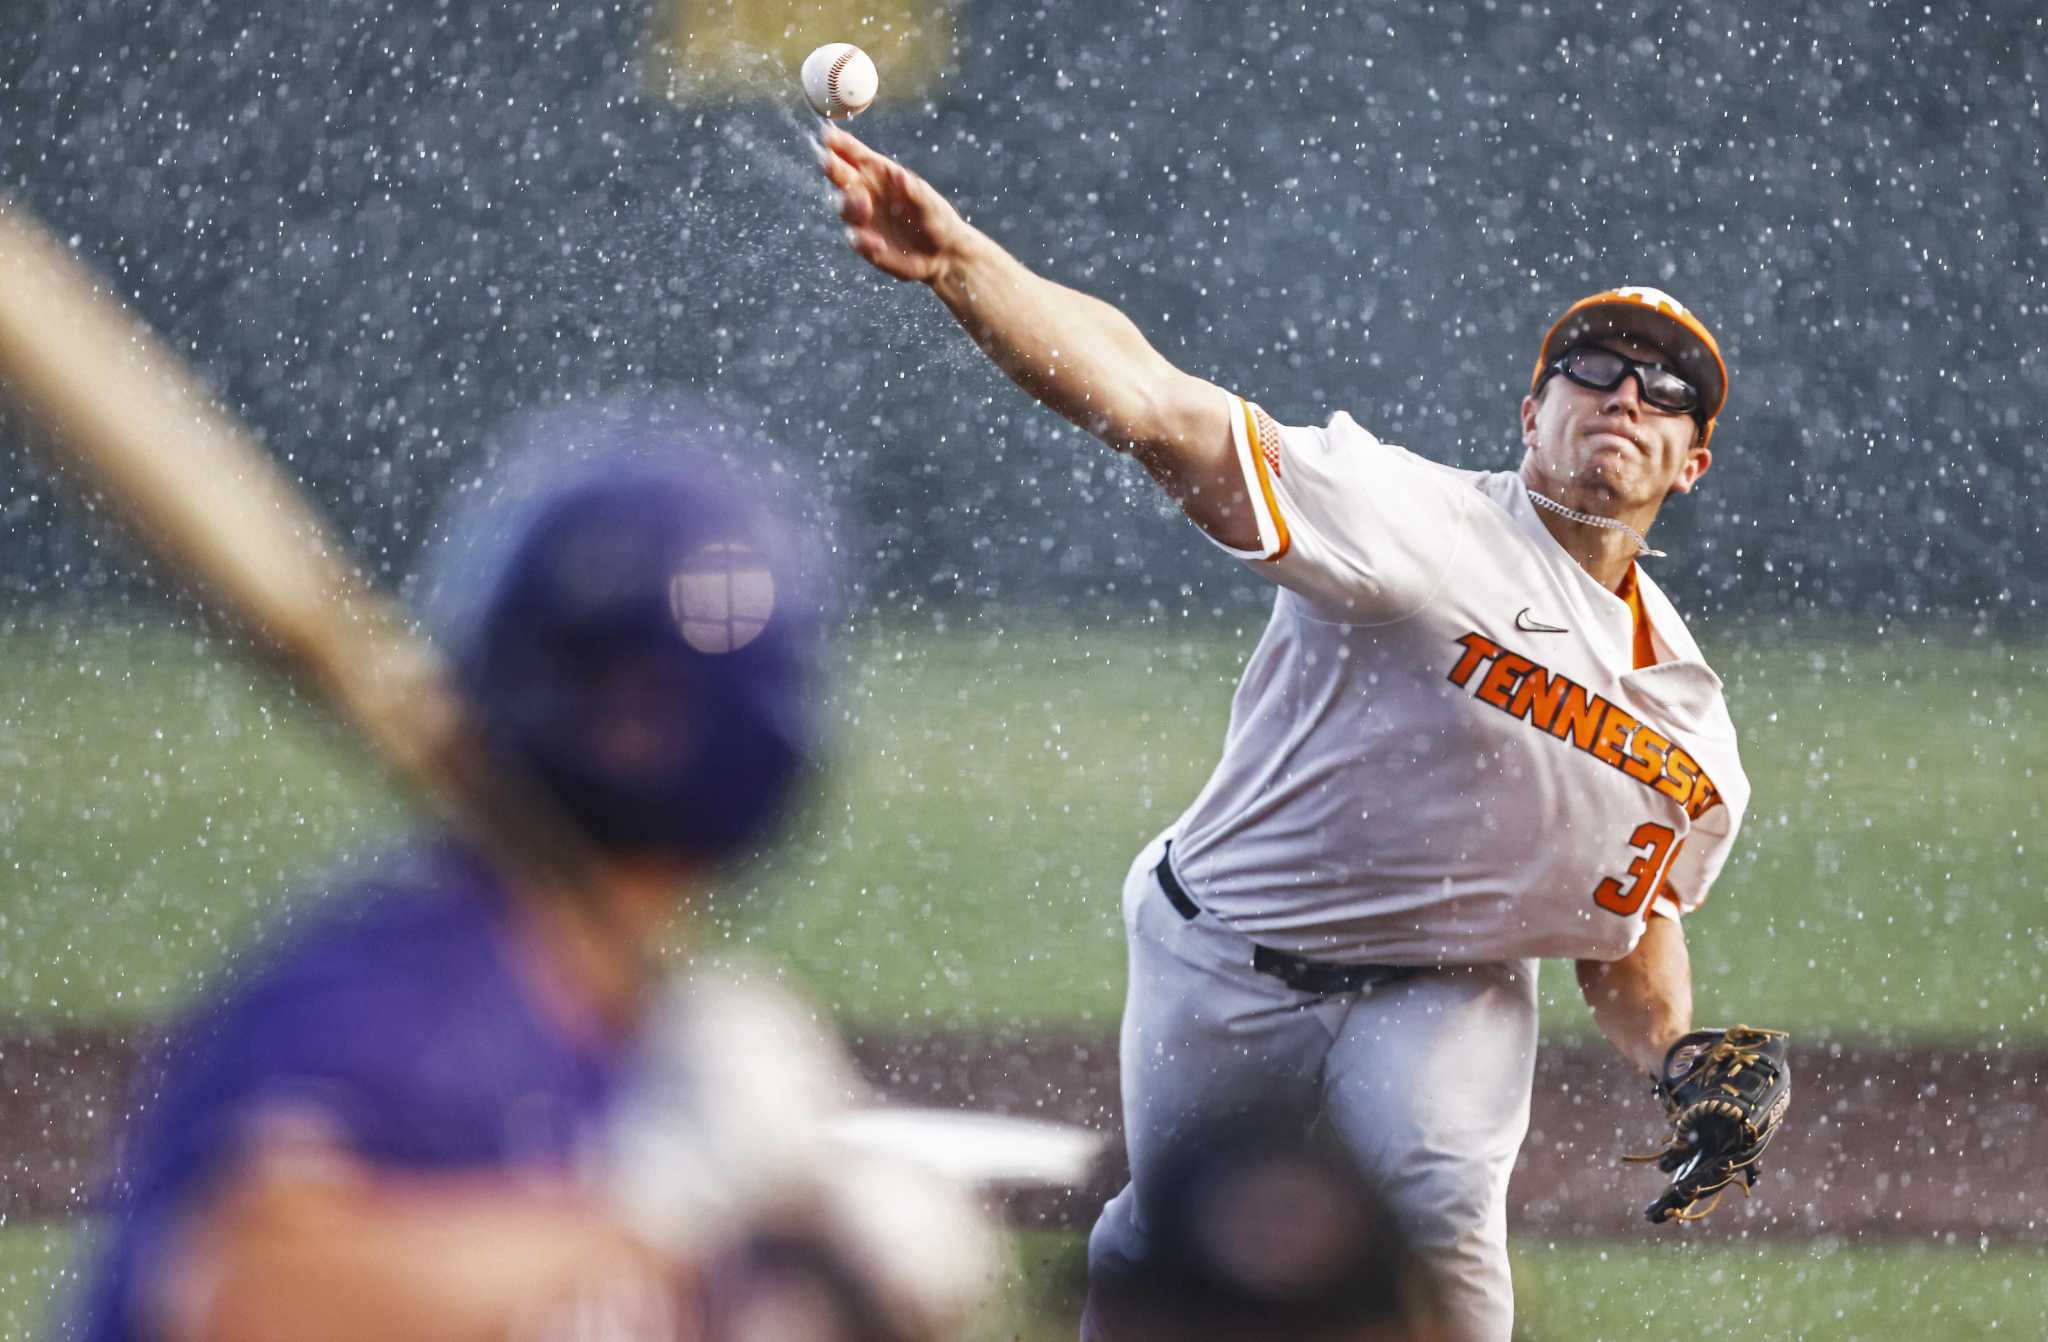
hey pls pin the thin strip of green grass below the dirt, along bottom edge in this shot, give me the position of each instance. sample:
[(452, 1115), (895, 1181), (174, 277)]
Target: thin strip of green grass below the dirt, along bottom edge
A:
[(1576, 1292)]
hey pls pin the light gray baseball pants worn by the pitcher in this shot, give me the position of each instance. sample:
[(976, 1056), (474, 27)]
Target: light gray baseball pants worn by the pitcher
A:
[(1426, 1081)]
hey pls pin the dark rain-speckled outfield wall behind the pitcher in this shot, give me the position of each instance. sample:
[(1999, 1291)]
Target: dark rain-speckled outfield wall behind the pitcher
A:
[(384, 224)]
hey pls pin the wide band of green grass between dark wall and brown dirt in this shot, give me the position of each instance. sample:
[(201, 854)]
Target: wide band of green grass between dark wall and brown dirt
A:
[(992, 782)]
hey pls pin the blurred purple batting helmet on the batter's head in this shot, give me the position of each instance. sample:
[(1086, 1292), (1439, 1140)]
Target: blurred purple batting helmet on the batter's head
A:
[(642, 638)]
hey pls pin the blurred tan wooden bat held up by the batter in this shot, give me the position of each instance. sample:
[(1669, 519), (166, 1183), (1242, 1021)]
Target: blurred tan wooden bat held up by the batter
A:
[(130, 421)]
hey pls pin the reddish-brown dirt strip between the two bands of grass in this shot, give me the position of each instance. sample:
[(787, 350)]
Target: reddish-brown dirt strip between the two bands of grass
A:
[(1881, 1144)]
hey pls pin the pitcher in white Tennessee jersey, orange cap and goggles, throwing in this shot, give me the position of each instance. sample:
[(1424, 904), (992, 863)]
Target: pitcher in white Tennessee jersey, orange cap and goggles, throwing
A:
[(1474, 737)]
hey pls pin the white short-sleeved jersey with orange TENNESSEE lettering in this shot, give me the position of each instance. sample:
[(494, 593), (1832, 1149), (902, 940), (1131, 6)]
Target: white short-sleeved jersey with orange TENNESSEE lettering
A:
[(1443, 749)]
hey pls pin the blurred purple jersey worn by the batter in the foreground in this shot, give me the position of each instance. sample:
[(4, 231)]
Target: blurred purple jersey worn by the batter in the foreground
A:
[(394, 1015)]
